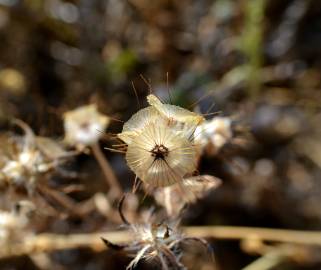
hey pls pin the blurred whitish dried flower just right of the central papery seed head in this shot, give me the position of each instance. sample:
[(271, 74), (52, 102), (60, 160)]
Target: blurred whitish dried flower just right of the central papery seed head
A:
[(212, 135)]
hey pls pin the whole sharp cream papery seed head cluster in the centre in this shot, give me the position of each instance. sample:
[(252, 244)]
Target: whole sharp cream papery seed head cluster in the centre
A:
[(161, 144)]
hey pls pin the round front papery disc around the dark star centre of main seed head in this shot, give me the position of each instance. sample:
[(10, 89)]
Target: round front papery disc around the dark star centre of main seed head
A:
[(180, 160)]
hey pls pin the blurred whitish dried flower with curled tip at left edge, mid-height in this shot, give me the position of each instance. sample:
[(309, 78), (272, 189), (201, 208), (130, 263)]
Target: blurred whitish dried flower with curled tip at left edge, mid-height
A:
[(23, 158)]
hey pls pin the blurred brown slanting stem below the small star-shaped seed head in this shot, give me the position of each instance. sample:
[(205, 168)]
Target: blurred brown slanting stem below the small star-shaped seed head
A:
[(107, 170)]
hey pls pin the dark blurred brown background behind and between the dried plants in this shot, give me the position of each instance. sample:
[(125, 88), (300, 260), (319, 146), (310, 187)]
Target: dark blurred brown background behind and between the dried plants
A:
[(257, 62)]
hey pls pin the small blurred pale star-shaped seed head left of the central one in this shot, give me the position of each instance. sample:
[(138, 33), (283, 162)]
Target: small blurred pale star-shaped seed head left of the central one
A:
[(84, 126)]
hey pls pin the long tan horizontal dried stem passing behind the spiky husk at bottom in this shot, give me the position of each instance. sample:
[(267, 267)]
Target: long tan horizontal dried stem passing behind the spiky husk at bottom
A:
[(52, 242)]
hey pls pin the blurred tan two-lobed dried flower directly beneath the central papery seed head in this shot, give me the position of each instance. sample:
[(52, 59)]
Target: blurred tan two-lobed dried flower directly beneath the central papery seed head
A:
[(172, 200)]
